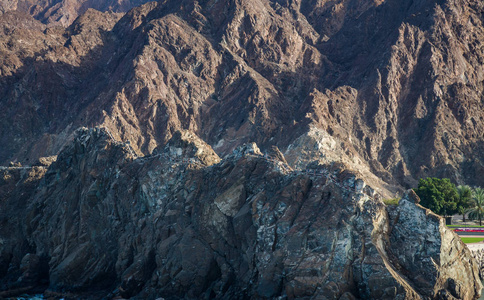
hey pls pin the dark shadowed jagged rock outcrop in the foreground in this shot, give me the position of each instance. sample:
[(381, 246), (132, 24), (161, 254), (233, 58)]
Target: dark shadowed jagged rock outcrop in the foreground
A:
[(110, 224)]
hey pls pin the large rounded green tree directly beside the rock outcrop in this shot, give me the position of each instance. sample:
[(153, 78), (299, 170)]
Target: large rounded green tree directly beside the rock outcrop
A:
[(438, 195)]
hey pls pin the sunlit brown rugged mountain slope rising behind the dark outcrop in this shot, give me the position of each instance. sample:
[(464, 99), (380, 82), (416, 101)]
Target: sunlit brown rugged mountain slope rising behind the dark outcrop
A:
[(390, 88)]
